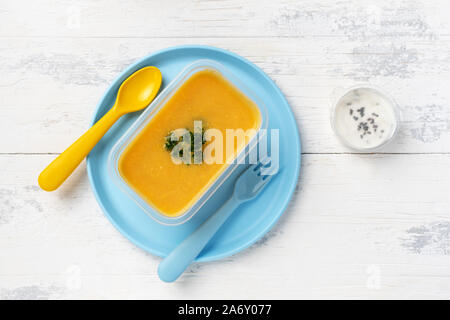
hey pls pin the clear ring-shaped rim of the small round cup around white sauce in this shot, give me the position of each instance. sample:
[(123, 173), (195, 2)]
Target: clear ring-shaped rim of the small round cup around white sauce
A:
[(343, 95)]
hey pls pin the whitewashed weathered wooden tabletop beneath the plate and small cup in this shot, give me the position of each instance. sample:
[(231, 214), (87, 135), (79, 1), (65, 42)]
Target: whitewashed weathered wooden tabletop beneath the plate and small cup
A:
[(359, 226)]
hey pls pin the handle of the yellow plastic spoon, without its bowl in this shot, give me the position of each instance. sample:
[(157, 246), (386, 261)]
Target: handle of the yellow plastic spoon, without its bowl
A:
[(61, 168)]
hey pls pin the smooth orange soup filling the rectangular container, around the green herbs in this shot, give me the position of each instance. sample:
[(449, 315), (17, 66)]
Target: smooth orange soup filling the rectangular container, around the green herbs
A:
[(148, 167)]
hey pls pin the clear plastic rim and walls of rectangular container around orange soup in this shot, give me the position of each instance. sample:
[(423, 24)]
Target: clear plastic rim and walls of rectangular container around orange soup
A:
[(152, 110)]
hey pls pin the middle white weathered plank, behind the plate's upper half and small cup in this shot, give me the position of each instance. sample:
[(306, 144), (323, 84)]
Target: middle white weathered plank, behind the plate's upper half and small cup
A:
[(49, 88)]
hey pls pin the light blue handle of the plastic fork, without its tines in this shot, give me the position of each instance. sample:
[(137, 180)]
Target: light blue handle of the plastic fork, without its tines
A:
[(182, 256)]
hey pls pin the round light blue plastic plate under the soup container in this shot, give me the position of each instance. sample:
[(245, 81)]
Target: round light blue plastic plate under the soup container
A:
[(253, 219)]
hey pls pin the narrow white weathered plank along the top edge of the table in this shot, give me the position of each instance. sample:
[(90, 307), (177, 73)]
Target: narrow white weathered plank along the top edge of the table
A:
[(360, 20)]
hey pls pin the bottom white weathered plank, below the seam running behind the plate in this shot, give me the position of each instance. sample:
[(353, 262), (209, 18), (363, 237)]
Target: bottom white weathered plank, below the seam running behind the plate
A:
[(359, 226)]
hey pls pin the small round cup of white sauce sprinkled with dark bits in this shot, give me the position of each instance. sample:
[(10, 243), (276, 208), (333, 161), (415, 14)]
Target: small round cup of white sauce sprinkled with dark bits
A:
[(364, 118)]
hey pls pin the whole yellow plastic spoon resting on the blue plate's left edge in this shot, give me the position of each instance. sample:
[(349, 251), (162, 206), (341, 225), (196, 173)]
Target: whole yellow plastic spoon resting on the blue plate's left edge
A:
[(135, 93)]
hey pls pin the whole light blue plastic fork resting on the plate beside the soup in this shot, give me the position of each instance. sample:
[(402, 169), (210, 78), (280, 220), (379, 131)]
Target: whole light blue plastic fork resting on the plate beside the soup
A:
[(247, 186)]
